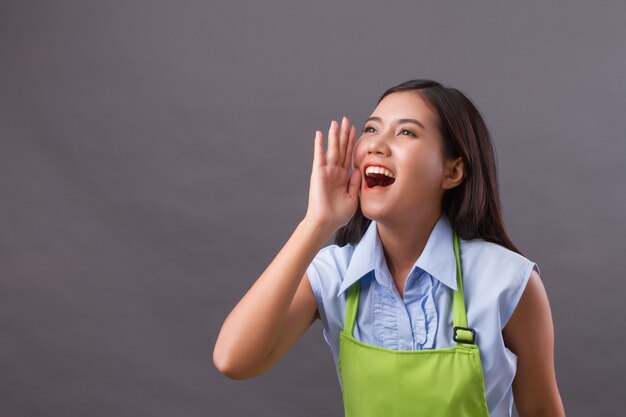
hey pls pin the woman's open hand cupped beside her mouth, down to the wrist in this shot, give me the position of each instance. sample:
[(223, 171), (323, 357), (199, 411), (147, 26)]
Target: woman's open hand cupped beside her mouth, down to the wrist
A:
[(334, 193)]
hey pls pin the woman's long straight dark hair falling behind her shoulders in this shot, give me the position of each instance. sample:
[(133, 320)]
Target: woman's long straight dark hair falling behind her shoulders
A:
[(473, 207)]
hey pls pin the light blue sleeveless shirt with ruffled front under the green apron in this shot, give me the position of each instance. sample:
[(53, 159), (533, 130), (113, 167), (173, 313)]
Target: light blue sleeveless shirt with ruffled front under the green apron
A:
[(494, 278)]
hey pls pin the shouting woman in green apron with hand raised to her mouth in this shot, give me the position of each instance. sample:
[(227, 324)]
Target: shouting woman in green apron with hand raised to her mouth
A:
[(427, 305)]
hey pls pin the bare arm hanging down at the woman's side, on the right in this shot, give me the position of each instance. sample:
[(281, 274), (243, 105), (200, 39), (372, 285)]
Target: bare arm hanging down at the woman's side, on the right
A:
[(529, 334)]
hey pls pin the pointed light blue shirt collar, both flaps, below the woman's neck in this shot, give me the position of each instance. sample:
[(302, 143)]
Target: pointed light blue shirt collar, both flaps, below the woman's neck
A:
[(437, 258)]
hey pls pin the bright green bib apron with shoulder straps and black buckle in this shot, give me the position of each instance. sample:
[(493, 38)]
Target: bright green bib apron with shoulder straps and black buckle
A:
[(381, 382)]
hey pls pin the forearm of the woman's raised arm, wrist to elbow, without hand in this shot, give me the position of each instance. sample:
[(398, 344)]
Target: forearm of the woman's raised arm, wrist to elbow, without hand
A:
[(253, 326)]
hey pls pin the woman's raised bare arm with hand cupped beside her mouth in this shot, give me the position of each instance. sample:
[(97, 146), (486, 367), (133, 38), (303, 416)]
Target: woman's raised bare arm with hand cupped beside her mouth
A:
[(280, 305)]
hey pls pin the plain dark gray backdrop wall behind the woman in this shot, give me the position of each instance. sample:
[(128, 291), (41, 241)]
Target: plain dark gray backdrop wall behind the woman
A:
[(155, 157)]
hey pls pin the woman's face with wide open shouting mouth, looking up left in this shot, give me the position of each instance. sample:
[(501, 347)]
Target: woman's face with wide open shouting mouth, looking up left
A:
[(412, 152)]
